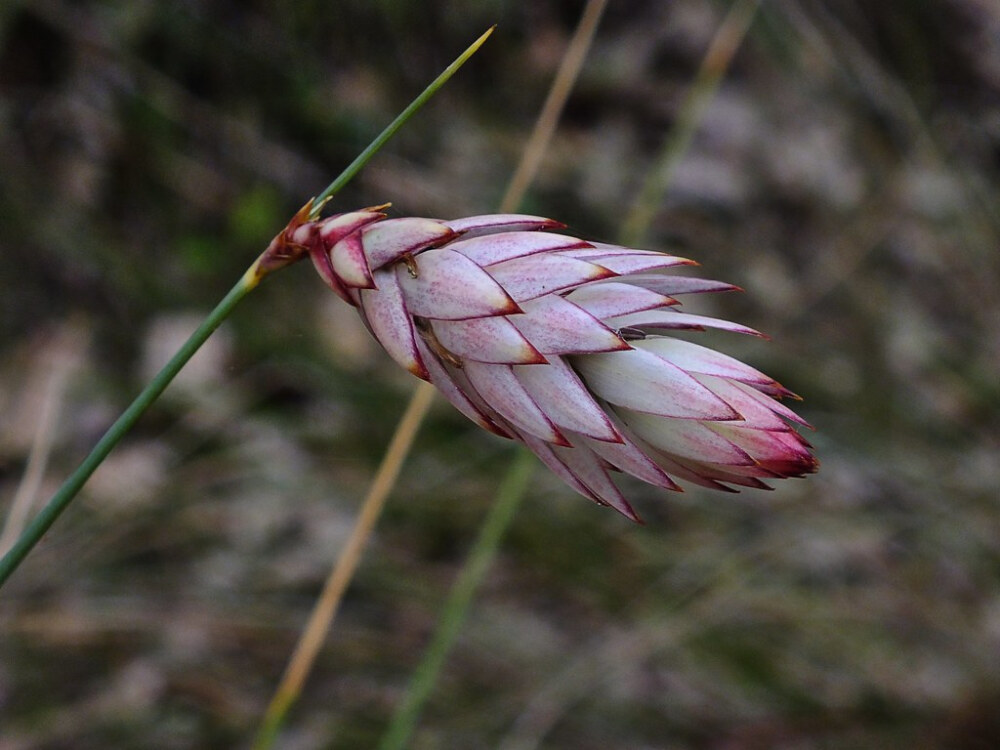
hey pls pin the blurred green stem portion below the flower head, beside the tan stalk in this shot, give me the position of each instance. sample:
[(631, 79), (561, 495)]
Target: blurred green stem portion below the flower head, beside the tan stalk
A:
[(502, 511)]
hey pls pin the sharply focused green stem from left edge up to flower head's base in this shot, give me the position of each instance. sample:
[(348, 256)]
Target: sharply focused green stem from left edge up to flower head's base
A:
[(59, 502)]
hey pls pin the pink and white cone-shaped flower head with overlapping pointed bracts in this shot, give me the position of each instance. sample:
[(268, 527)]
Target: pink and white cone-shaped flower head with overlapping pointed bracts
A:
[(564, 345)]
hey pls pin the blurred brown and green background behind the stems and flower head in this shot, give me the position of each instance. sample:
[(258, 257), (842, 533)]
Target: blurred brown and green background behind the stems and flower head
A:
[(847, 175)]
